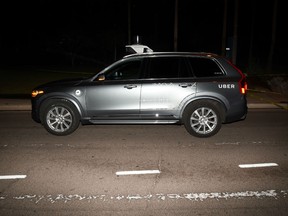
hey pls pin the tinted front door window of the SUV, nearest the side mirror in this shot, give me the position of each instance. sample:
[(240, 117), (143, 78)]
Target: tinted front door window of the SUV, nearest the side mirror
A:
[(124, 71)]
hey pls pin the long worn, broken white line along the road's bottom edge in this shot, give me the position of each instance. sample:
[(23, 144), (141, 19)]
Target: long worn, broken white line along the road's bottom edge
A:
[(194, 197)]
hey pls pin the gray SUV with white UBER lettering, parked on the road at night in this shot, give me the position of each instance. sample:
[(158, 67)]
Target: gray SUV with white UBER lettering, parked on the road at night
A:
[(199, 90)]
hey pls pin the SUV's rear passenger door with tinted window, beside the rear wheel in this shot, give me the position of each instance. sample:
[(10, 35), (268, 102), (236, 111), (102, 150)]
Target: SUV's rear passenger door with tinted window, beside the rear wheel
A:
[(168, 84)]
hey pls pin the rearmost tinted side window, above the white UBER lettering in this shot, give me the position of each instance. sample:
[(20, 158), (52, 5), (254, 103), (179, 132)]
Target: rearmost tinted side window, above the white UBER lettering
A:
[(204, 67)]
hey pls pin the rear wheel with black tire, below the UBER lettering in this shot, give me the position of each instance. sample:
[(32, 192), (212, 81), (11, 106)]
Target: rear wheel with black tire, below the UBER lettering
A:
[(202, 119)]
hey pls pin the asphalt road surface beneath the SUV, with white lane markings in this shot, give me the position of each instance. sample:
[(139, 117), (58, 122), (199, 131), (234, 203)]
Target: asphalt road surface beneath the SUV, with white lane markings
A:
[(81, 174)]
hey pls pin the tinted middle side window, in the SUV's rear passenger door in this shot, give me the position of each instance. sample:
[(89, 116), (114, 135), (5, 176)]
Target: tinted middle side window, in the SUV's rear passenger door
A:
[(168, 67)]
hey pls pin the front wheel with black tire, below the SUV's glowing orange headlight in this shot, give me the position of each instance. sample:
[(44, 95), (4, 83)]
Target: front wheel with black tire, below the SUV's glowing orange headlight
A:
[(60, 117)]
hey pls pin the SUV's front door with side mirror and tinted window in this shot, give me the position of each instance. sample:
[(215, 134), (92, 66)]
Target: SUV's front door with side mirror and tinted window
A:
[(118, 95)]
